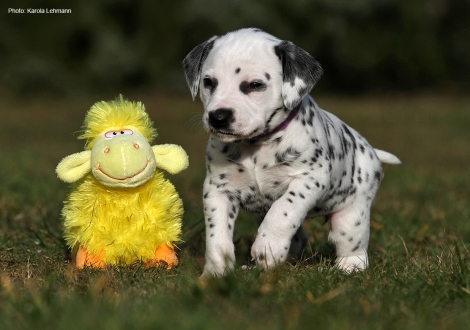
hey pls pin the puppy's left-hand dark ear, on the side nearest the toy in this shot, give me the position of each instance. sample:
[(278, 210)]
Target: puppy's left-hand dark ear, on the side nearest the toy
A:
[(192, 64)]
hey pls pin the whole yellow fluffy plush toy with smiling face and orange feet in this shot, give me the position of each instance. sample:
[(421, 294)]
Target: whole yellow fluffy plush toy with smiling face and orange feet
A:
[(122, 209)]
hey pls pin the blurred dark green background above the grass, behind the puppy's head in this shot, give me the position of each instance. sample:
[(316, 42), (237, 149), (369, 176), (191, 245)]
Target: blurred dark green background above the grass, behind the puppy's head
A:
[(121, 45)]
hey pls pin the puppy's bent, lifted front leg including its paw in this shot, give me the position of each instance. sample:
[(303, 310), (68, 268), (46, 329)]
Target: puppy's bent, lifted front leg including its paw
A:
[(282, 221)]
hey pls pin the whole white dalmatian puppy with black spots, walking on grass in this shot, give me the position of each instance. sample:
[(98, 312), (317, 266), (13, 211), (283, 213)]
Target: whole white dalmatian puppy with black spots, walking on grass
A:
[(274, 152)]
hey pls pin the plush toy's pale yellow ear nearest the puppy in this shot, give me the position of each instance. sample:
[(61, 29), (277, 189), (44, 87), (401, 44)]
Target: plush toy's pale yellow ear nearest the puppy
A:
[(170, 157)]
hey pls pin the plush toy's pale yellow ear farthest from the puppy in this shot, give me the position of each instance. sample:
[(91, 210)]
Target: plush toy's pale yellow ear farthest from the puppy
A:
[(74, 167)]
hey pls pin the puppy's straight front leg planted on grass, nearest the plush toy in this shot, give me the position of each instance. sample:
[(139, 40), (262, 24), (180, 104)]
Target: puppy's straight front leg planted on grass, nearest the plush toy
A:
[(220, 212)]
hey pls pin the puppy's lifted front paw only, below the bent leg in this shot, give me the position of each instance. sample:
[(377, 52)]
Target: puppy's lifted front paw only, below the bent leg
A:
[(269, 253)]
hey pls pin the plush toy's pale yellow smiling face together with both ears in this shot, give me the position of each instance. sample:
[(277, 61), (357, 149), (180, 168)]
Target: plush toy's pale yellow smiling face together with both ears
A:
[(122, 158)]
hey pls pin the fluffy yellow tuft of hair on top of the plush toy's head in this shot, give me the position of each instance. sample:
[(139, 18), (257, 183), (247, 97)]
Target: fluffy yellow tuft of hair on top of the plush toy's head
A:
[(116, 114)]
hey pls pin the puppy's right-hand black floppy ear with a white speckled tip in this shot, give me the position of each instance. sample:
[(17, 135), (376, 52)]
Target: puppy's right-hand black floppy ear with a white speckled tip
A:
[(300, 72)]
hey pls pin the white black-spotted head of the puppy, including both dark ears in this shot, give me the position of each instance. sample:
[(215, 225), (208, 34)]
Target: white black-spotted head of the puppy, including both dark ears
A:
[(249, 81)]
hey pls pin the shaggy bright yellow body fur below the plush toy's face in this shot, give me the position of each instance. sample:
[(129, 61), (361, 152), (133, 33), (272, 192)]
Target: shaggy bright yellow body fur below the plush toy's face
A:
[(129, 223)]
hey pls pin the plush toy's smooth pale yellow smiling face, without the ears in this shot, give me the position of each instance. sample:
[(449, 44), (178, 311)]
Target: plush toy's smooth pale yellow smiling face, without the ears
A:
[(122, 158)]
